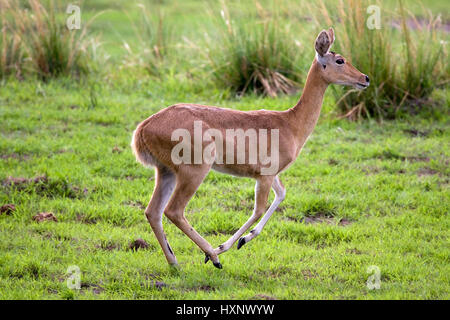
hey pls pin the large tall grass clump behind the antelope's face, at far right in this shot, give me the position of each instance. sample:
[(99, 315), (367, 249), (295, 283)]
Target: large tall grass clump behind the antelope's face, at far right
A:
[(402, 65)]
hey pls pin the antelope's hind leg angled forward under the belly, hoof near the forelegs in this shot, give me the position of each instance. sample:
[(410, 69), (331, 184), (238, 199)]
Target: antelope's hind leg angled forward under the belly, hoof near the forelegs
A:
[(188, 182)]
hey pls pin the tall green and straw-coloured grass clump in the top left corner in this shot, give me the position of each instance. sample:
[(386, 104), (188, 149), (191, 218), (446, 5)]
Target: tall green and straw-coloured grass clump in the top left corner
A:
[(40, 43)]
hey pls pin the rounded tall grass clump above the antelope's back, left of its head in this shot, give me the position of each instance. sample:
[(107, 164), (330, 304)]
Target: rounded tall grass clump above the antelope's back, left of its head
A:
[(254, 54)]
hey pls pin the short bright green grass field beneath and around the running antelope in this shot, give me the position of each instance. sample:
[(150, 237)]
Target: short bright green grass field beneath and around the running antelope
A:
[(360, 194)]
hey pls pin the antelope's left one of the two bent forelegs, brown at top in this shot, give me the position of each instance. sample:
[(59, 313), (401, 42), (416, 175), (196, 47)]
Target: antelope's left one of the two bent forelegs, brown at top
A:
[(262, 190)]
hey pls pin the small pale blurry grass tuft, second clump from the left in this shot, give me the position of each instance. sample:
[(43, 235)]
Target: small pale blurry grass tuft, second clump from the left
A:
[(155, 38)]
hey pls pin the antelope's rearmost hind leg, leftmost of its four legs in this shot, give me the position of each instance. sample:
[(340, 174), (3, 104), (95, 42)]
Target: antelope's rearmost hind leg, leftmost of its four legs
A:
[(165, 183)]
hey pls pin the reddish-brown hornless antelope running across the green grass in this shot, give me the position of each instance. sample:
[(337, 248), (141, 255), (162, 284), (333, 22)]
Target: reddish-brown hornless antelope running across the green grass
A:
[(179, 172)]
